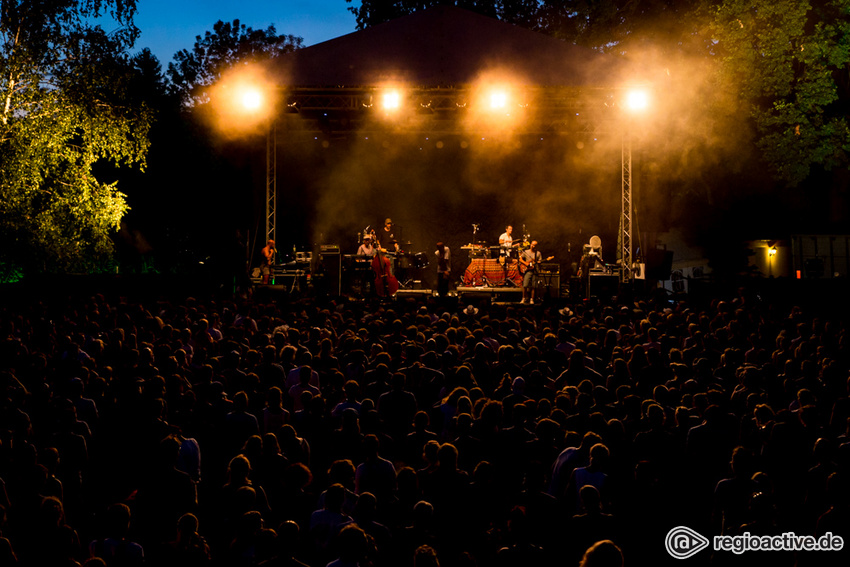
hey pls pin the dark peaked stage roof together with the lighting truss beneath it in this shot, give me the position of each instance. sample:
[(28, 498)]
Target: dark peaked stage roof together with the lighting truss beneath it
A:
[(440, 56)]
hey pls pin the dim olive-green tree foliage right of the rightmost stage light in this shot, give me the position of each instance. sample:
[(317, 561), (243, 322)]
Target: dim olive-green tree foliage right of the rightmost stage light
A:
[(788, 62)]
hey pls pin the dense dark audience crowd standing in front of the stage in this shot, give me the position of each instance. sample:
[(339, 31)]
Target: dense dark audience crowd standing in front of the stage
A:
[(247, 432)]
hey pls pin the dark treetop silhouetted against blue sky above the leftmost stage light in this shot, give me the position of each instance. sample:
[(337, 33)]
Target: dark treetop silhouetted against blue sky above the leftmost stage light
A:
[(227, 44)]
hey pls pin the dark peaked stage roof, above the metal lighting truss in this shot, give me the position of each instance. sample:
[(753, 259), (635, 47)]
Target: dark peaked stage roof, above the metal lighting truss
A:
[(445, 46)]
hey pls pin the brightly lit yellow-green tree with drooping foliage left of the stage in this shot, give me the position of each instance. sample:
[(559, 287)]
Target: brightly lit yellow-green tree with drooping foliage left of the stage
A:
[(65, 110)]
